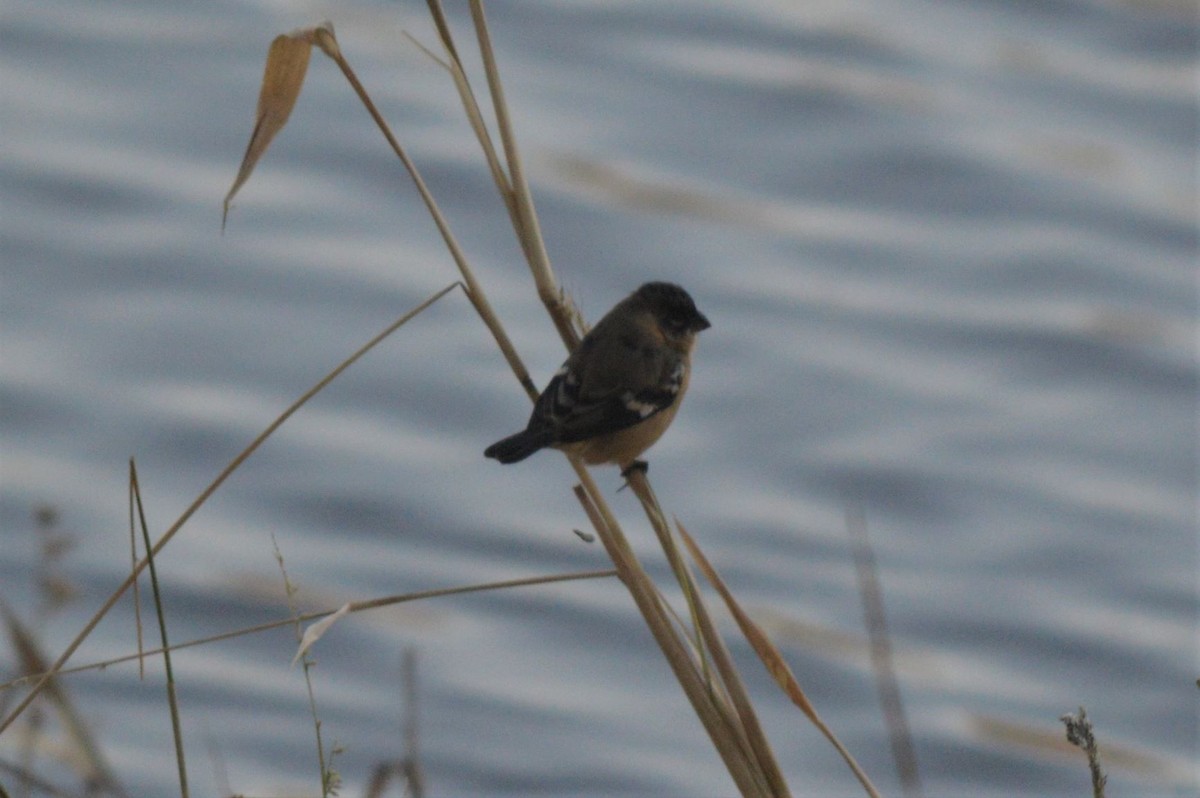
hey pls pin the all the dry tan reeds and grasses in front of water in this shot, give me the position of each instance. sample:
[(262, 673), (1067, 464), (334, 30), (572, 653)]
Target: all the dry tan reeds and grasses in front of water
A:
[(689, 640)]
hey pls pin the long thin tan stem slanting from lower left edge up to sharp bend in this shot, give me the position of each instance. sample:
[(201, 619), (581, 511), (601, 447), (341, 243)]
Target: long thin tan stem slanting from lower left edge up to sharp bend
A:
[(205, 497)]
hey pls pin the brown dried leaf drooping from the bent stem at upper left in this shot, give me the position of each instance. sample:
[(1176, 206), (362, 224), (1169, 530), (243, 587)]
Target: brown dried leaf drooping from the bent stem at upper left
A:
[(287, 63)]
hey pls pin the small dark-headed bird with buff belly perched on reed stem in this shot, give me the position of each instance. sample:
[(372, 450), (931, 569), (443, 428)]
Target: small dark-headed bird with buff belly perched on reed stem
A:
[(620, 391)]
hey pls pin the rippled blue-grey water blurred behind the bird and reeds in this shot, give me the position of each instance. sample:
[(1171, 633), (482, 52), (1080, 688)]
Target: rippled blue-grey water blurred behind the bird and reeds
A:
[(950, 254)]
